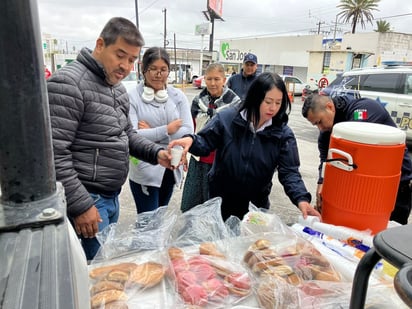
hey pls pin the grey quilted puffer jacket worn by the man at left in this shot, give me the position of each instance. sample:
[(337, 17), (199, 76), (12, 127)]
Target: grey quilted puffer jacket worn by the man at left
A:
[(92, 133)]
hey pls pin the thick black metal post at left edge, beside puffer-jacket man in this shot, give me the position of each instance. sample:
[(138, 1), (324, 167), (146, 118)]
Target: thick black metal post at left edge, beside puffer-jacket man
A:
[(26, 156)]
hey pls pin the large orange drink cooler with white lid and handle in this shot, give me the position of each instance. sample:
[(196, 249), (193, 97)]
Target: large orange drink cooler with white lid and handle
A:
[(361, 175)]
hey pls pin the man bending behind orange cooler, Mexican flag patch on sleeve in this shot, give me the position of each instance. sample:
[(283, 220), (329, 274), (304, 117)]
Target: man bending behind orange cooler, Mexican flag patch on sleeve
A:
[(324, 112)]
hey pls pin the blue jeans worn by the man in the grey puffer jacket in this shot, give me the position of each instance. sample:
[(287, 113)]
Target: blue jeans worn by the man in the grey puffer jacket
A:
[(108, 207)]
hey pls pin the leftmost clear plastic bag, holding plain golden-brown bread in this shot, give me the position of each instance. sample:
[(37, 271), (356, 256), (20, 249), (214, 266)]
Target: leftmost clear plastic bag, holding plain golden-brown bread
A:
[(136, 281)]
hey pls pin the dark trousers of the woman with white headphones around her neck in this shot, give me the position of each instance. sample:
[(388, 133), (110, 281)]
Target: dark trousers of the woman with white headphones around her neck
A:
[(150, 198)]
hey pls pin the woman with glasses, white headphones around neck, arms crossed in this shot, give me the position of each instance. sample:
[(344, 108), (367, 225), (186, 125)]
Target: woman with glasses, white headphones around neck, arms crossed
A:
[(160, 113)]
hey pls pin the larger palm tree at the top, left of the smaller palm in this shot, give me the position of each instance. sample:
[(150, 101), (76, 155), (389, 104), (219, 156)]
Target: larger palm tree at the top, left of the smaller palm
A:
[(357, 11)]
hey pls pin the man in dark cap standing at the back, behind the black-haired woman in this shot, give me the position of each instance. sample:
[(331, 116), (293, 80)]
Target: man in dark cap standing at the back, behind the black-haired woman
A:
[(240, 82)]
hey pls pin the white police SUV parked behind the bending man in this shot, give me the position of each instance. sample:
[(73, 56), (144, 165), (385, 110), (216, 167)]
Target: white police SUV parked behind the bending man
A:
[(390, 85)]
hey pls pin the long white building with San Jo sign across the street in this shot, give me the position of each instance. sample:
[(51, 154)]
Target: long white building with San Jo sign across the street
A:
[(313, 57)]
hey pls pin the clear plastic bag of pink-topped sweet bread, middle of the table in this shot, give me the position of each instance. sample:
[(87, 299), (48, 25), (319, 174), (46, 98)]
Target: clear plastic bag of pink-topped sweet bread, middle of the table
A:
[(203, 276)]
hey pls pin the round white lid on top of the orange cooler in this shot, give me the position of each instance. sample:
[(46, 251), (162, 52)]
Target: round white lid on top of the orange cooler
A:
[(368, 133)]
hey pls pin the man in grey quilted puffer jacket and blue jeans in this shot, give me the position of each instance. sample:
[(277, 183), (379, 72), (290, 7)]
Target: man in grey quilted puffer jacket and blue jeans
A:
[(91, 130)]
